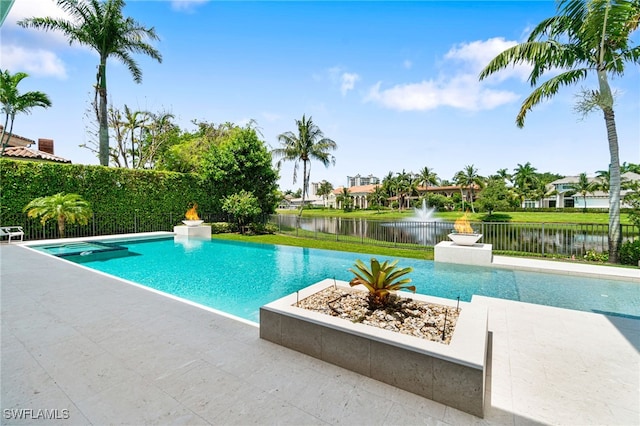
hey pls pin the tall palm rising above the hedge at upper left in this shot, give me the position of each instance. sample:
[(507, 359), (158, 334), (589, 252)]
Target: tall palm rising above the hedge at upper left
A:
[(101, 26)]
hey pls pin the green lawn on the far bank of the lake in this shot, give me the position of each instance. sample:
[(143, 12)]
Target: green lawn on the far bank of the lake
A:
[(522, 217)]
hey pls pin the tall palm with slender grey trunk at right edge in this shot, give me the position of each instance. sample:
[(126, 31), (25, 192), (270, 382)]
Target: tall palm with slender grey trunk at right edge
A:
[(585, 37)]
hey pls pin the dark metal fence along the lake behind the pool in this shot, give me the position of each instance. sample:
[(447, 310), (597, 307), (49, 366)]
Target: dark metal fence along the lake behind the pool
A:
[(546, 239)]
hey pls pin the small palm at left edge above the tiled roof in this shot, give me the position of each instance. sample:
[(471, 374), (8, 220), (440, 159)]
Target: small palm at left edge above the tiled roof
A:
[(13, 102)]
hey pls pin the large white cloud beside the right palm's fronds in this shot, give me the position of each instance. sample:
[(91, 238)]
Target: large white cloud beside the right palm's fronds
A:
[(459, 86)]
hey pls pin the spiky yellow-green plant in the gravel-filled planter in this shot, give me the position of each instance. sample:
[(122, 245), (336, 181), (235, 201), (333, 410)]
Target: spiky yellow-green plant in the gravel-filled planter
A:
[(381, 280)]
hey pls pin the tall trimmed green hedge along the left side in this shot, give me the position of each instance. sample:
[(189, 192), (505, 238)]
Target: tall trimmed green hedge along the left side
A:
[(116, 195)]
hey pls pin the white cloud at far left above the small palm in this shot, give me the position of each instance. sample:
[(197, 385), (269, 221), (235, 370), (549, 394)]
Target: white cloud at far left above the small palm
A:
[(35, 62)]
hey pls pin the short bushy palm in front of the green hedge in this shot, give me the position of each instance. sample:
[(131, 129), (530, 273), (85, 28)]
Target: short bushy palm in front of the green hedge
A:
[(62, 207)]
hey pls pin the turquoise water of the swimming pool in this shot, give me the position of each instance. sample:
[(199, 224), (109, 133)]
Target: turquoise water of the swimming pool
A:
[(238, 278)]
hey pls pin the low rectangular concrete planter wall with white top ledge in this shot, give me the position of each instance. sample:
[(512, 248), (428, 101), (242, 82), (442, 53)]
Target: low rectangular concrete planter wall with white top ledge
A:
[(451, 374)]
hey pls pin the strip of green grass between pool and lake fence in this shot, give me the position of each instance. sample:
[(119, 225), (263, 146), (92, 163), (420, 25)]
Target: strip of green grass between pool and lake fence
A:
[(286, 240)]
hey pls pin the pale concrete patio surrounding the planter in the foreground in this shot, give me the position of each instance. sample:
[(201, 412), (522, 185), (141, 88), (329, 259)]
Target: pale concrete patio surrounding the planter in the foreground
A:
[(96, 350)]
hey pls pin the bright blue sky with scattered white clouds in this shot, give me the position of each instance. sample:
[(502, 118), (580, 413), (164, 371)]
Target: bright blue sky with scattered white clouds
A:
[(394, 84)]
